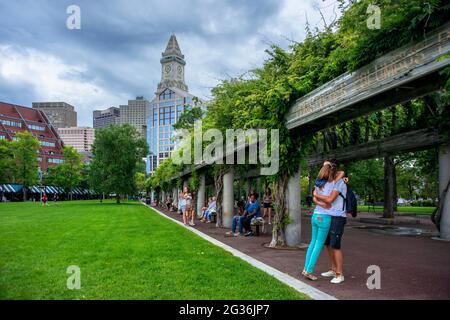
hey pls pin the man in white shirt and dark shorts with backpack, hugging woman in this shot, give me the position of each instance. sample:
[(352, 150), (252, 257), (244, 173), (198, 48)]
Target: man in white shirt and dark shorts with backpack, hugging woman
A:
[(342, 205)]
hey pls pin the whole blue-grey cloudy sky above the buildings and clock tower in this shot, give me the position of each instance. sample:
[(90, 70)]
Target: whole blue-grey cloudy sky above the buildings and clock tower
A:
[(115, 56)]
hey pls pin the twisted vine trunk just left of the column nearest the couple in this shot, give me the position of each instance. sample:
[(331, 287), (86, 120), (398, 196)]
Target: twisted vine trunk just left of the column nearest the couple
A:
[(278, 232)]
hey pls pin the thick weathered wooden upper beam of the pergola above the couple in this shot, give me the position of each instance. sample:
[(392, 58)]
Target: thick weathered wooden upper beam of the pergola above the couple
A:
[(401, 75)]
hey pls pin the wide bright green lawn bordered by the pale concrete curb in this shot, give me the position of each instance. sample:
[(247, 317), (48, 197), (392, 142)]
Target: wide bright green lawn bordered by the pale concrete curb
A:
[(124, 252)]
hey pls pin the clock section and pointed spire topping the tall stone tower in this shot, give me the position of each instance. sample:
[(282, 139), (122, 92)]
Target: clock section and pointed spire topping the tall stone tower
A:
[(172, 67)]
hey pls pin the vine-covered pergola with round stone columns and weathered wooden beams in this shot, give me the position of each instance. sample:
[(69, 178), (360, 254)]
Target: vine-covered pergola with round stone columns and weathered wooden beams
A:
[(407, 73)]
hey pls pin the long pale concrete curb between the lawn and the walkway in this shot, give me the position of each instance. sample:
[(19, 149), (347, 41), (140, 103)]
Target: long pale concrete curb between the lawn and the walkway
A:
[(283, 277)]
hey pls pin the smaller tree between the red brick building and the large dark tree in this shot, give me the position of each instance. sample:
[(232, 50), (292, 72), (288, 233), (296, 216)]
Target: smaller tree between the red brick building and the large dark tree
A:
[(67, 175)]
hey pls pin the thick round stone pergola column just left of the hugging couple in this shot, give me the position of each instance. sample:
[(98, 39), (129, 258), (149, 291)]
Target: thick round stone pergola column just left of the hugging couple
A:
[(293, 203)]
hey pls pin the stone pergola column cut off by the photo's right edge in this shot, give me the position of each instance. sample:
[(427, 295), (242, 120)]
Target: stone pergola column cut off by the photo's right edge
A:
[(444, 176)]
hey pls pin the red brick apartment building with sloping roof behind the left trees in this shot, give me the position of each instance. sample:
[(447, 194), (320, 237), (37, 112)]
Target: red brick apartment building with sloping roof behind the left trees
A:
[(15, 119)]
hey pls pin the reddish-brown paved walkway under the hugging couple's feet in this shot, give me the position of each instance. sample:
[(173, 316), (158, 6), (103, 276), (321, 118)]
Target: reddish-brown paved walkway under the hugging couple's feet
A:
[(412, 267)]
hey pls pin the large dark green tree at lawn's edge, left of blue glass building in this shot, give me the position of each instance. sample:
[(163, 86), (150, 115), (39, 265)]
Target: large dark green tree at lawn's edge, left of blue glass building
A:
[(118, 151)]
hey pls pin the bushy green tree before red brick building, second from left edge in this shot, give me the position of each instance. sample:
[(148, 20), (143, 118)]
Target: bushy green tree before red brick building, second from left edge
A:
[(25, 151)]
